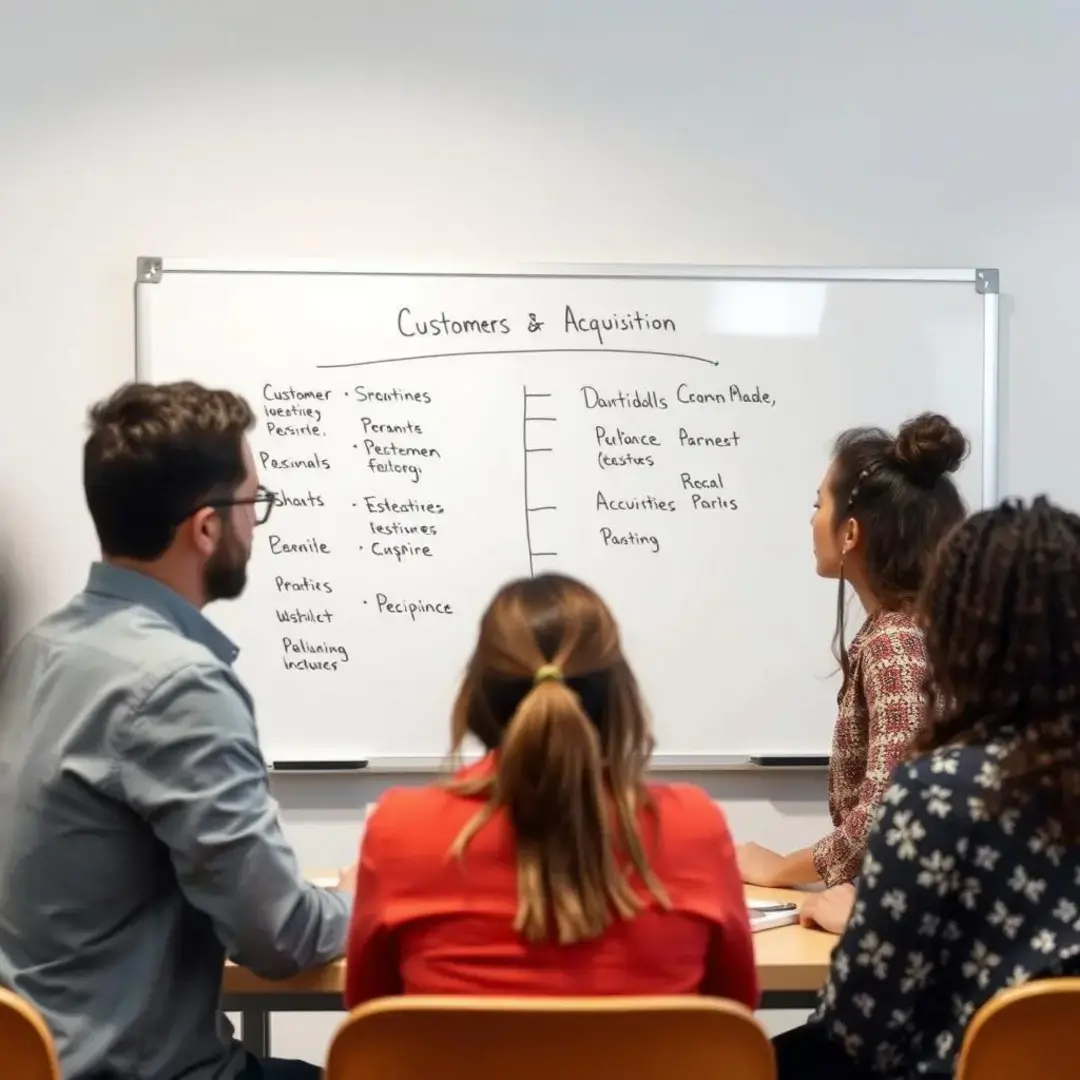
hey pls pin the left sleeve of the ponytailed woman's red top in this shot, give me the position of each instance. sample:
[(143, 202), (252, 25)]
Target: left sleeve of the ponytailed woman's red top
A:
[(373, 965)]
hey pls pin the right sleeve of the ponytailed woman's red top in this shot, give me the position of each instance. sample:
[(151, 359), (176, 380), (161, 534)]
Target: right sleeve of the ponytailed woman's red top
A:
[(731, 970)]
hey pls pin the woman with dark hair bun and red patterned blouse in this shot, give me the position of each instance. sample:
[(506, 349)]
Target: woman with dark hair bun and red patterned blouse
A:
[(884, 508)]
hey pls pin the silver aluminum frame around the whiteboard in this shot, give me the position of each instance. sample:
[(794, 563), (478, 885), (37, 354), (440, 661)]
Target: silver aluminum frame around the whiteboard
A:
[(151, 271)]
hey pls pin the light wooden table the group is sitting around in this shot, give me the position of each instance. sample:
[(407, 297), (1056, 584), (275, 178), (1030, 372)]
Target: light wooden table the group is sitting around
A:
[(792, 965)]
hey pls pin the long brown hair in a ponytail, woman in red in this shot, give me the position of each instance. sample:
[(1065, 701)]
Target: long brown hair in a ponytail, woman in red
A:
[(549, 688)]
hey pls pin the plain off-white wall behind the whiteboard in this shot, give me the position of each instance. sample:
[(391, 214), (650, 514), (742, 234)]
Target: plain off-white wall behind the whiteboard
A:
[(693, 131)]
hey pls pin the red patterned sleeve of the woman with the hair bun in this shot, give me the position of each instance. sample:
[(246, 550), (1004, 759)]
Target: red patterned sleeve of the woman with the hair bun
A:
[(893, 684)]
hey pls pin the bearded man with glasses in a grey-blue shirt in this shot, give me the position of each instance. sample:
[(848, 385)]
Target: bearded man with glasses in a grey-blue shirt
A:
[(141, 842)]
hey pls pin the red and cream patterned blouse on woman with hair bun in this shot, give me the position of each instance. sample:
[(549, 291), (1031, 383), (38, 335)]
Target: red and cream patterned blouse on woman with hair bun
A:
[(882, 708)]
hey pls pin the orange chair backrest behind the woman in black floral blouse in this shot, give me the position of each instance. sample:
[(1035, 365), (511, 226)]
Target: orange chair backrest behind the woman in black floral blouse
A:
[(1027, 1032)]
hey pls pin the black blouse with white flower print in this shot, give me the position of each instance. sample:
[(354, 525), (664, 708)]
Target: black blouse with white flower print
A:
[(952, 907)]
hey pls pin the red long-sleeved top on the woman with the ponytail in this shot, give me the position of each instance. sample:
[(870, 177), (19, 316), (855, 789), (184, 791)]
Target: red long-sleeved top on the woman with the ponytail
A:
[(426, 923)]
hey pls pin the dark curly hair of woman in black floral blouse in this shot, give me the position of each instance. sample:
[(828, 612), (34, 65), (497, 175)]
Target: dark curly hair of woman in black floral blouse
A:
[(1003, 614)]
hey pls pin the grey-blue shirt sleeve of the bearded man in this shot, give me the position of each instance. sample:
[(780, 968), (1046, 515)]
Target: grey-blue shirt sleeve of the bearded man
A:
[(191, 767)]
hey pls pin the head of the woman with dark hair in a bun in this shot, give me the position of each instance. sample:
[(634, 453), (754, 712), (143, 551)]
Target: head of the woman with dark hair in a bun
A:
[(884, 508)]
